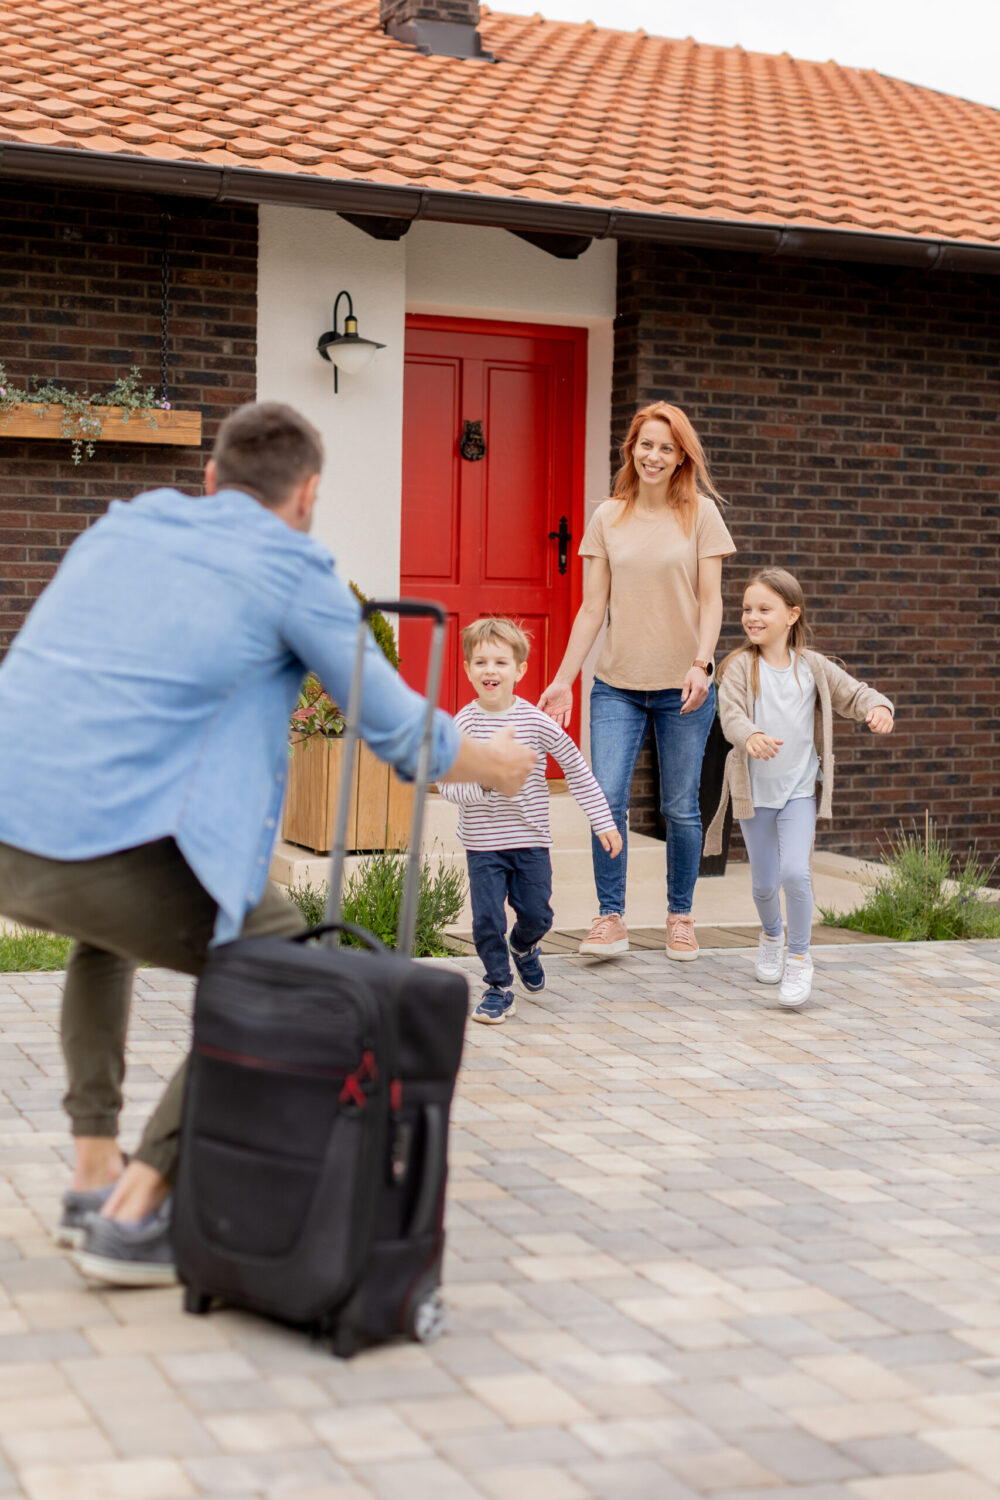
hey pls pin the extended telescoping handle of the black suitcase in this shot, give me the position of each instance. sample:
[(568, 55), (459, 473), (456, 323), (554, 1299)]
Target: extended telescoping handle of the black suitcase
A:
[(407, 610)]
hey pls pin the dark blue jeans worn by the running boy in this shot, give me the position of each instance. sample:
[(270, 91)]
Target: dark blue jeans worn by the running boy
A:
[(521, 877)]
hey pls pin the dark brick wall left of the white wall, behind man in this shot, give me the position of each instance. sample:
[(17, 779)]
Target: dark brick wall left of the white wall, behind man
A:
[(80, 304)]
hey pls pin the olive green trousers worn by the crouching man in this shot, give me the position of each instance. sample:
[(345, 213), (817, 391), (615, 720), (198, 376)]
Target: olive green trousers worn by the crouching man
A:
[(140, 905)]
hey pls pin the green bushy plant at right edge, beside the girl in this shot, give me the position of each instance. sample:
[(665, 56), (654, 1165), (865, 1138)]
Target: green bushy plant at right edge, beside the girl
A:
[(923, 893)]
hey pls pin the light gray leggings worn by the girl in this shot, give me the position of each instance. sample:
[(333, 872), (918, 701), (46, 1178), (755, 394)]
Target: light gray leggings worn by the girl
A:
[(779, 842)]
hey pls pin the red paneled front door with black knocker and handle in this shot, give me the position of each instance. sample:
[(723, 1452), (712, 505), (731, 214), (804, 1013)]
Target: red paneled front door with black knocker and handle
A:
[(476, 532)]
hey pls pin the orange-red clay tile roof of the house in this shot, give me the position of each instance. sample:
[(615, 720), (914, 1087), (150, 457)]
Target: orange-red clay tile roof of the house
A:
[(569, 113)]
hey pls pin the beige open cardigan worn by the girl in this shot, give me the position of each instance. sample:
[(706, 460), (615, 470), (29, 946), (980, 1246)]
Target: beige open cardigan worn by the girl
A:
[(836, 692)]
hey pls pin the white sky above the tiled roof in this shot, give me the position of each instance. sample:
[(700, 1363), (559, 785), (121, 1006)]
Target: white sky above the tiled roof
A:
[(953, 46)]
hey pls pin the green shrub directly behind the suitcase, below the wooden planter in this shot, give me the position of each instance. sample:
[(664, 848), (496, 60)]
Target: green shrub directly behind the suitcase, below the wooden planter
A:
[(374, 893)]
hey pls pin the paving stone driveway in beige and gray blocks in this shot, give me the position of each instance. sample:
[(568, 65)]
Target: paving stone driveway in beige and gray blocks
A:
[(698, 1247)]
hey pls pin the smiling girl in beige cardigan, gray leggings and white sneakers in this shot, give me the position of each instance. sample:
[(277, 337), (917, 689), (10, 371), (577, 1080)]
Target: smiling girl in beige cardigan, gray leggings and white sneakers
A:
[(776, 704)]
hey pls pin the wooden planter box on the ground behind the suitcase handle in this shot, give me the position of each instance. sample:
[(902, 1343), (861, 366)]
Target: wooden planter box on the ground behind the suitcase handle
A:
[(382, 805)]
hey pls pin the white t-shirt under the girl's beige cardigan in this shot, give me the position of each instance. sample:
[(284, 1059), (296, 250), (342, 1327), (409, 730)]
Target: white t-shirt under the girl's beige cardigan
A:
[(786, 709)]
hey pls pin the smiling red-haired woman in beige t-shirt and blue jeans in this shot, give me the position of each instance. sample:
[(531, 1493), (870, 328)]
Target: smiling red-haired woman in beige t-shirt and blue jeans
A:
[(656, 553)]
